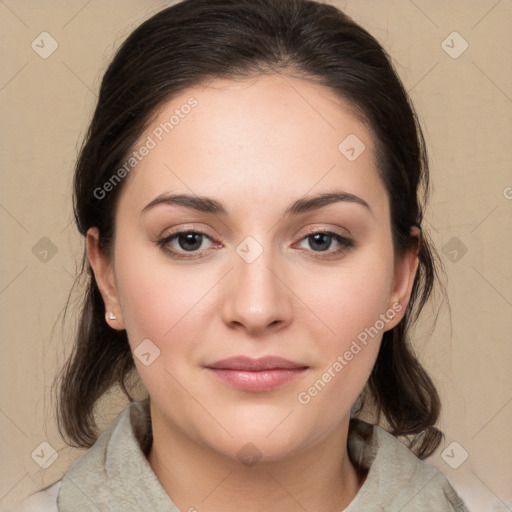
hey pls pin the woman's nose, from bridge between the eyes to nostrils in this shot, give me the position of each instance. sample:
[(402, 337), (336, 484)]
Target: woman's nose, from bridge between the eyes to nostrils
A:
[(257, 300)]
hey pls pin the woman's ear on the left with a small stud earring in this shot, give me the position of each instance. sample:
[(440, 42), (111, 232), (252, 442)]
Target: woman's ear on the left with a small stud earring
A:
[(104, 275)]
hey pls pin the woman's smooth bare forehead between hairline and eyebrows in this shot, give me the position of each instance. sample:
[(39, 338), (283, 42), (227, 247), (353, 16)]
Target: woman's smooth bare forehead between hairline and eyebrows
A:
[(268, 137)]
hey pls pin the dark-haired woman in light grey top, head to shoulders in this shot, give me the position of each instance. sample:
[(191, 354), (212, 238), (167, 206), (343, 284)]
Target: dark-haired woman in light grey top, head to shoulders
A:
[(250, 192)]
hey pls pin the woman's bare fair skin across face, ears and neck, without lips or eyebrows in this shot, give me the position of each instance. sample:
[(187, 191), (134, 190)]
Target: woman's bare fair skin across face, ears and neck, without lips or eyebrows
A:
[(256, 145)]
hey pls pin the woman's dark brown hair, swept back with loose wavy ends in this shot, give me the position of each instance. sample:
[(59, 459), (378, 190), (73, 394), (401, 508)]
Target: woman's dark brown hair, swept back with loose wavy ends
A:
[(196, 41)]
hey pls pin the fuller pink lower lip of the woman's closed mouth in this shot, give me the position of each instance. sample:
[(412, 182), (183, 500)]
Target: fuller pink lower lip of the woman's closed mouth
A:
[(256, 381)]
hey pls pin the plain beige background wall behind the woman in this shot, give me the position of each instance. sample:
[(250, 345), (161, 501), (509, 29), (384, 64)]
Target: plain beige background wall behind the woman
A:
[(465, 105)]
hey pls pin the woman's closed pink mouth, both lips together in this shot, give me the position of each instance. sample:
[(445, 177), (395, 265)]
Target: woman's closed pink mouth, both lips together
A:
[(256, 375)]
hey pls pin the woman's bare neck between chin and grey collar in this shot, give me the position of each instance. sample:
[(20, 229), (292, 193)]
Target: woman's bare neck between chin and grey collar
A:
[(321, 478)]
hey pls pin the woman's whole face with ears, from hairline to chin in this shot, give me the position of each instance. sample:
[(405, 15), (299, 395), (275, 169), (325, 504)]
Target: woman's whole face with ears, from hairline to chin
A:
[(253, 266)]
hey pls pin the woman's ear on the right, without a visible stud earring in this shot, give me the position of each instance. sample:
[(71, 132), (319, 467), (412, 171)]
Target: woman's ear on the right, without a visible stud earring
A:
[(405, 272)]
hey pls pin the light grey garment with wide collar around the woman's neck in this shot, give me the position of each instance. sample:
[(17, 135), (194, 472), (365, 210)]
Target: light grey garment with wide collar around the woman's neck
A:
[(115, 476)]
